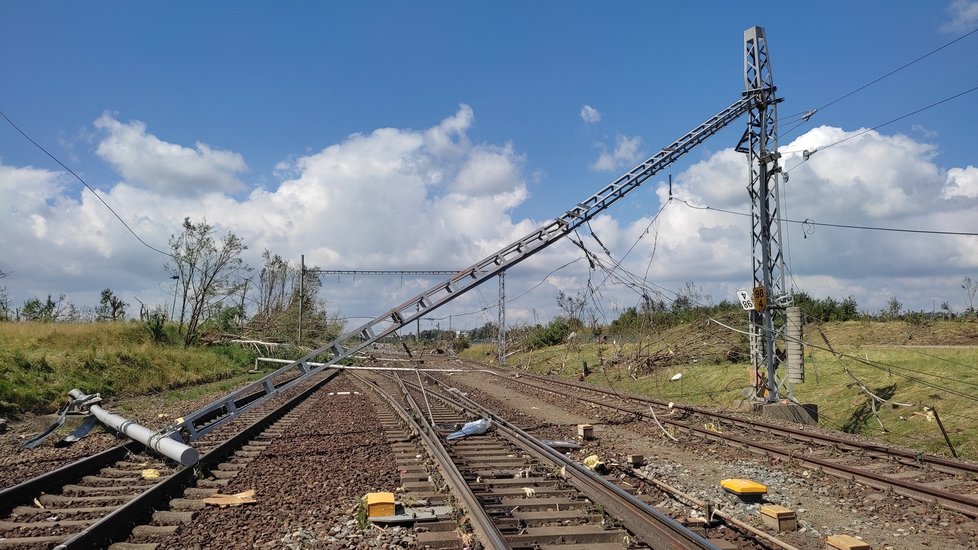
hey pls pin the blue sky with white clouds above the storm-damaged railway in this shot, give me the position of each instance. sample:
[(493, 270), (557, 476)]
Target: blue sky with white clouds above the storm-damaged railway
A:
[(257, 94)]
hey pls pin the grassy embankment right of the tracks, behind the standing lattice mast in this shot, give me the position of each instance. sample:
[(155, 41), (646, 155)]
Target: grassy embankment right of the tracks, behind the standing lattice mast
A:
[(922, 365)]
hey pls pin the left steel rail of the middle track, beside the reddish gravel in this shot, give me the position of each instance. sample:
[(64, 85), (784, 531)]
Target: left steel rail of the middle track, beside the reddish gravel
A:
[(483, 524)]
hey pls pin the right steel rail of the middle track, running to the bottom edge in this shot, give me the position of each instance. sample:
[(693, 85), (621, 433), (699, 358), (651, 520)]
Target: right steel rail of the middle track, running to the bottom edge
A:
[(653, 527)]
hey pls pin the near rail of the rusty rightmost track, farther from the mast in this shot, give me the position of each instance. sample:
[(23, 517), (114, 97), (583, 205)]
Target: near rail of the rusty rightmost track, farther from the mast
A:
[(918, 491)]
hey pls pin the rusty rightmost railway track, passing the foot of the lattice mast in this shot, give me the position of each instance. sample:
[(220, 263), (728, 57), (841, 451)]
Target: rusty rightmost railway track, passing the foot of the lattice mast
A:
[(951, 484)]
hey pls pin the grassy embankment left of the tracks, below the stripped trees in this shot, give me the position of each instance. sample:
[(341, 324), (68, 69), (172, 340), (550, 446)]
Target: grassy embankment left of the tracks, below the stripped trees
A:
[(39, 363)]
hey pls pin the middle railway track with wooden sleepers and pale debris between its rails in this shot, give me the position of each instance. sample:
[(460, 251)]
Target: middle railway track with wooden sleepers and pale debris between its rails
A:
[(519, 492)]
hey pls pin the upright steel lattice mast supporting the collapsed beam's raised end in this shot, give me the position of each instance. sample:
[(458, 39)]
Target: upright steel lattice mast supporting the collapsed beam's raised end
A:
[(760, 143)]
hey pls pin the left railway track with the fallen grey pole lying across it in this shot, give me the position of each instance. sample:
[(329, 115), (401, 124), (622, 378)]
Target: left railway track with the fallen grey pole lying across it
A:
[(96, 501)]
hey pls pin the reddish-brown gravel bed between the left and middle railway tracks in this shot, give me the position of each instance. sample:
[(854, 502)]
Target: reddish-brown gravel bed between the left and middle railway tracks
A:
[(308, 484)]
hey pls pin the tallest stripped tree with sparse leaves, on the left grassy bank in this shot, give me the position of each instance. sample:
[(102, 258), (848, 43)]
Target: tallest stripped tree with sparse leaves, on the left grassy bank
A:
[(209, 272)]
